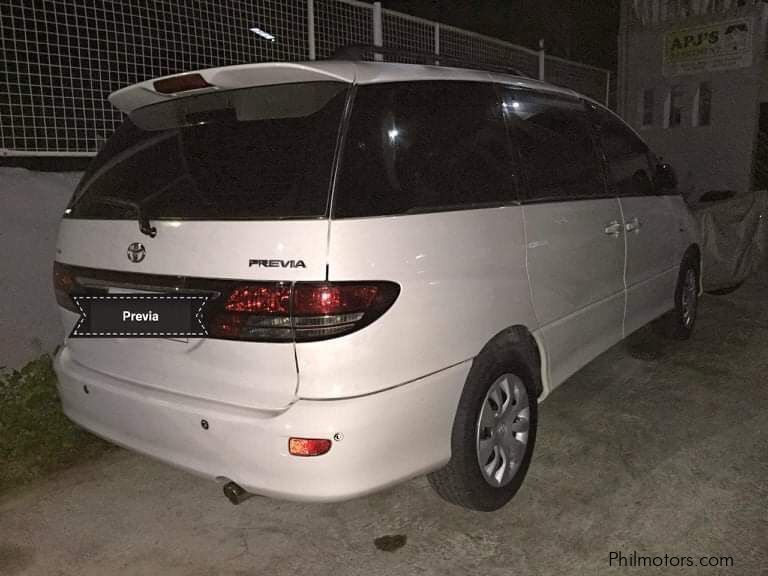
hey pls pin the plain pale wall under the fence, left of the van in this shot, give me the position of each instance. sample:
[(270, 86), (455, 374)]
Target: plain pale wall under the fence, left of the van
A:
[(31, 204)]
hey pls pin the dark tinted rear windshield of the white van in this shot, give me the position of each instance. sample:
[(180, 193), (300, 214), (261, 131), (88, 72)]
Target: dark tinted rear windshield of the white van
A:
[(256, 153)]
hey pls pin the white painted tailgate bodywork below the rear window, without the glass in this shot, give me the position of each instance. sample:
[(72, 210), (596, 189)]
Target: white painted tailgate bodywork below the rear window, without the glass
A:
[(256, 374)]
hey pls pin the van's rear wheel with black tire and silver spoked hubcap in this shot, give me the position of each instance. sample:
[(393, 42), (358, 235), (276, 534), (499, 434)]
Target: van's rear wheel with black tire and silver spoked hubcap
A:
[(506, 380)]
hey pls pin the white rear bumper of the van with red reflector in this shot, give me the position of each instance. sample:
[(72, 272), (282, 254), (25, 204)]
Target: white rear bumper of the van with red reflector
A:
[(387, 437)]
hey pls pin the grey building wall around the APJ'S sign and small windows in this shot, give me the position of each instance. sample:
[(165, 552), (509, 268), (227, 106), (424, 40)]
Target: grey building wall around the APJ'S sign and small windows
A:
[(713, 157)]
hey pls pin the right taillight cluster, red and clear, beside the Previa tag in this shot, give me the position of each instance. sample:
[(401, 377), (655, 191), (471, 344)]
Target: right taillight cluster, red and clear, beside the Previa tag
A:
[(304, 311)]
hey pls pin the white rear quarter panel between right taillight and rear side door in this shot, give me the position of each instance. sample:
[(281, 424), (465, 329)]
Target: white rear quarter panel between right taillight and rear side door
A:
[(463, 279)]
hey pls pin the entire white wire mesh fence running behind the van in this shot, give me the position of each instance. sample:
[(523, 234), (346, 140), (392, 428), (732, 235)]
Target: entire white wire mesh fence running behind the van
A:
[(61, 58)]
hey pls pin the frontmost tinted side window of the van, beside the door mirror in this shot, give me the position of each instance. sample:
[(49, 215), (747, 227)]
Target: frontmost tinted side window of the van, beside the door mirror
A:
[(628, 160)]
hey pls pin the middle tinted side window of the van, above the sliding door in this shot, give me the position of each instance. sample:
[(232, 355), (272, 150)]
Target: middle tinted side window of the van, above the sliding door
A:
[(554, 139)]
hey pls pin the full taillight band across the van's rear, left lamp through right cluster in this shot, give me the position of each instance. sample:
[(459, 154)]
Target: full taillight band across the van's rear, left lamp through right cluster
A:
[(257, 311)]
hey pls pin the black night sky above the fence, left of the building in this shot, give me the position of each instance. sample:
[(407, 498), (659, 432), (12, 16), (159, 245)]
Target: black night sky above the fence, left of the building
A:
[(583, 30)]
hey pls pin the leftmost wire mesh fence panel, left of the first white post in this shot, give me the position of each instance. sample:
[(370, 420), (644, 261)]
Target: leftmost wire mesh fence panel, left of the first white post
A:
[(62, 58)]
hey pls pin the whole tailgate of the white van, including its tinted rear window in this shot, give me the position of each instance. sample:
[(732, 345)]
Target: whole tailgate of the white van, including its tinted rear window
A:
[(219, 185)]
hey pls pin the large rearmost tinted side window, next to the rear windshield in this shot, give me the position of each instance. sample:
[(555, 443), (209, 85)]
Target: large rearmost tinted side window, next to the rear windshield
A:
[(423, 147)]
